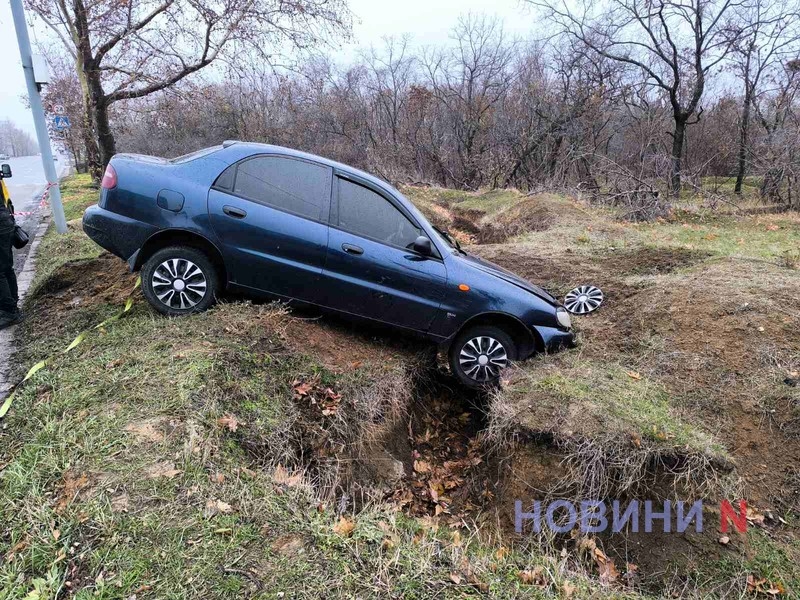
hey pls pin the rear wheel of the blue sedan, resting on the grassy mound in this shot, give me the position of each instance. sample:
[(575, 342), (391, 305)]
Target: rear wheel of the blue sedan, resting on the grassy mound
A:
[(180, 280)]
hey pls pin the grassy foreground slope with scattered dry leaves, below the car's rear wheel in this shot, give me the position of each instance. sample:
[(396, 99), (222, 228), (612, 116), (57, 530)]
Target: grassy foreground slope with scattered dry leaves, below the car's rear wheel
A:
[(117, 478)]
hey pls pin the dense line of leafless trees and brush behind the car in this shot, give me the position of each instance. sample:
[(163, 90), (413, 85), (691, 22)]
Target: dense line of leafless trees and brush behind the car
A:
[(625, 99)]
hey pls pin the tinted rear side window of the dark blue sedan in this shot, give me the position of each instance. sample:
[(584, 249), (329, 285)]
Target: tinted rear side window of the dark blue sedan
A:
[(293, 185)]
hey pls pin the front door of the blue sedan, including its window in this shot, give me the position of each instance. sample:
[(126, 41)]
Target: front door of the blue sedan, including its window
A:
[(370, 269)]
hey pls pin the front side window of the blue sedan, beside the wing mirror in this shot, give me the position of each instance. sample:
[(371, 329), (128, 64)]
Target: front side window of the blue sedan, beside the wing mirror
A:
[(365, 213)]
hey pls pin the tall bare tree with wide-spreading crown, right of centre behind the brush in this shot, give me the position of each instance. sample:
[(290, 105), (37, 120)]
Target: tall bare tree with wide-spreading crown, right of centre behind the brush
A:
[(674, 44)]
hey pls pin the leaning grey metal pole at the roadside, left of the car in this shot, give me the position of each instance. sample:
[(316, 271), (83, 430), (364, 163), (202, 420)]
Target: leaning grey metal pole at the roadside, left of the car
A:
[(43, 137)]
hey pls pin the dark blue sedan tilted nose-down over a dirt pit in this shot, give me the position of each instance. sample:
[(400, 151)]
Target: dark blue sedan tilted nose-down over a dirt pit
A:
[(271, 221)]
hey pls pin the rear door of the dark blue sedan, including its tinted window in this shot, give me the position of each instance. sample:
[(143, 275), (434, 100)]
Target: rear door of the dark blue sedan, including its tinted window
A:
[(270, 214)]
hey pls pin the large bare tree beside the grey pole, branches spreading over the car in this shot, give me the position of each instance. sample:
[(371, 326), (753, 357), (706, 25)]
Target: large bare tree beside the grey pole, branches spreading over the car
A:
[(131, 49)]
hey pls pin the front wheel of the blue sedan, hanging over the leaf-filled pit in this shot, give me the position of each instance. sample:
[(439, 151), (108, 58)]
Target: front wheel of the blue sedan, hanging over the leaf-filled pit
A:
[(481, 344)]
